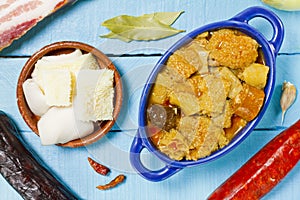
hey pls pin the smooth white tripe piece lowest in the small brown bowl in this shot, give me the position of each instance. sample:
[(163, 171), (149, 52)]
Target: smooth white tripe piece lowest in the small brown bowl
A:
[(59, 125)]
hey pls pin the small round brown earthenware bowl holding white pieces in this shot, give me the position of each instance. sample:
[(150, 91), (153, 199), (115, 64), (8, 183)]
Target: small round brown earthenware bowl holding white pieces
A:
[(64, 47)]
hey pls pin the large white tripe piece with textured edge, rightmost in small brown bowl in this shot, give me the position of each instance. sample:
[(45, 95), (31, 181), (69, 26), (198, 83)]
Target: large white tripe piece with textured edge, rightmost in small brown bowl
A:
[(95, 92)]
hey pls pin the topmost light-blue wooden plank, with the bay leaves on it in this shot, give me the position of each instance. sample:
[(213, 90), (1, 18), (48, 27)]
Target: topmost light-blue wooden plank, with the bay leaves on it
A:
[(81, 22)]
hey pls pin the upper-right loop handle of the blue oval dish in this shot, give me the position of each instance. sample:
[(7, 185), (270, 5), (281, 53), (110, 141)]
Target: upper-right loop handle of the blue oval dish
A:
[(277, 25)]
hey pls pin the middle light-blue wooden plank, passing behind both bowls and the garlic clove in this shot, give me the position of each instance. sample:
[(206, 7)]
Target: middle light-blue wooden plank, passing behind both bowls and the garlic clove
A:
[(134, 72)]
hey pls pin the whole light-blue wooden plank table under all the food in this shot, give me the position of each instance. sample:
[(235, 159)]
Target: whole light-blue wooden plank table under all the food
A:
[(81, 22)]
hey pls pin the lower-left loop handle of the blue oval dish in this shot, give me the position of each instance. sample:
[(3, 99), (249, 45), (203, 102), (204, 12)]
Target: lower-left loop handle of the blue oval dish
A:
[(135, 159)]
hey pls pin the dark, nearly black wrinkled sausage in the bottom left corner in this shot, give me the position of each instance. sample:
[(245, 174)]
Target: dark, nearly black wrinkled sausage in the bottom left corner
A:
[(22, 169)]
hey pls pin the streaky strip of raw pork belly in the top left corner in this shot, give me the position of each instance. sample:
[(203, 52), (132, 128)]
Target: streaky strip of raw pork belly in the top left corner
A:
[(19, 16)]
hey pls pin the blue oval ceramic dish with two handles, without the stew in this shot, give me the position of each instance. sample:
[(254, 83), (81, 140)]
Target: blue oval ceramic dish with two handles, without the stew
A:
[(270, 49)]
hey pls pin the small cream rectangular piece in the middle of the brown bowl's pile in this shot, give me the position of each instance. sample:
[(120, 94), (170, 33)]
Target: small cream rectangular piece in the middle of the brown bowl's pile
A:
[(57, 86)]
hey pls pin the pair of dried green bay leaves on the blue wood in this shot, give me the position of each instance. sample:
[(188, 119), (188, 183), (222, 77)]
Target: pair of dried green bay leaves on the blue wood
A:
[(146, 27)]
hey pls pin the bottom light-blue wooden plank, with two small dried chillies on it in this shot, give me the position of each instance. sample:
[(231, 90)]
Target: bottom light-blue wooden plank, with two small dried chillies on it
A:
[(71, 166)]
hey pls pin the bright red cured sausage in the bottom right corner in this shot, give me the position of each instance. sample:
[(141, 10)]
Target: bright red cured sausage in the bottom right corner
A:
[(265, 169)]
